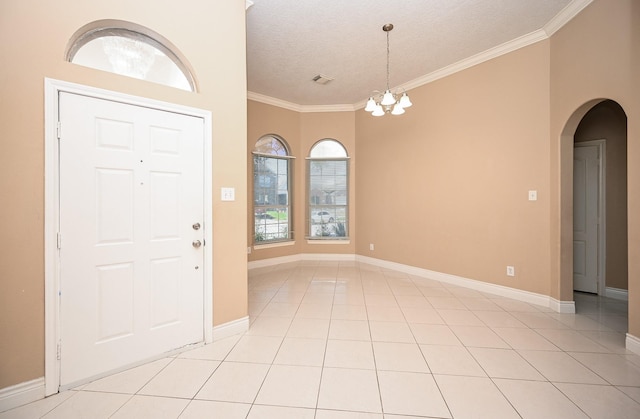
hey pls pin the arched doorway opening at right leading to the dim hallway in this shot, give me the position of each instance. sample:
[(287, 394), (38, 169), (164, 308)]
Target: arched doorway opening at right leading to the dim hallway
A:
[(601, 127)]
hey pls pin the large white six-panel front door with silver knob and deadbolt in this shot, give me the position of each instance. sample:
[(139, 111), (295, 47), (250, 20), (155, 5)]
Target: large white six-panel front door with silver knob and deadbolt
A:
[(131, 270)]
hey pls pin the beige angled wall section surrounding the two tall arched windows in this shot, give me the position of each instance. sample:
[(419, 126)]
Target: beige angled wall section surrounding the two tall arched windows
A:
[(301, 131)]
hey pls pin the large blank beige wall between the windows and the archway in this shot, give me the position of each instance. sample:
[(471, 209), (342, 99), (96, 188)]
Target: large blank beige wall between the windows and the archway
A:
[(445, 186)]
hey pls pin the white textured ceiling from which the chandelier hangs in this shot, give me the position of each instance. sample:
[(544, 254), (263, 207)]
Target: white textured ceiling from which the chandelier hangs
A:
[(291, 41)]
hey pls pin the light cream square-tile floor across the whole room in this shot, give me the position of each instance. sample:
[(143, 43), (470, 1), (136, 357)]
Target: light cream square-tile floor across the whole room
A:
[(344, 340)]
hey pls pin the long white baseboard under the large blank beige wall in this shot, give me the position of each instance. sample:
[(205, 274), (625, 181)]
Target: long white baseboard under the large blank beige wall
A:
[(516, 294)]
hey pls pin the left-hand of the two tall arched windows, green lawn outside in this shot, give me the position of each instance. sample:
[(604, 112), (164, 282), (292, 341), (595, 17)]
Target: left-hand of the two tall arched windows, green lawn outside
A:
[(272, 190)]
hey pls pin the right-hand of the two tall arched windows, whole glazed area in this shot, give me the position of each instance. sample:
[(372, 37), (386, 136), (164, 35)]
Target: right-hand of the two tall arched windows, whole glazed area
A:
[(328, 191)]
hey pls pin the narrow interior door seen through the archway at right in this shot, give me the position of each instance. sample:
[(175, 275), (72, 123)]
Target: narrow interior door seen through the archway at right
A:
[(586, 191)]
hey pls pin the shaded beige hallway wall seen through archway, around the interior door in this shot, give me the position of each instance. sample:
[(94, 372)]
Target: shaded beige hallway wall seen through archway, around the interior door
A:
[(607, 121)]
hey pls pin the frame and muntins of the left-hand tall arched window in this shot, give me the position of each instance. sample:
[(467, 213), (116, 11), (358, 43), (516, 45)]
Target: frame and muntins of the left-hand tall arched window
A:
[(288, 158)]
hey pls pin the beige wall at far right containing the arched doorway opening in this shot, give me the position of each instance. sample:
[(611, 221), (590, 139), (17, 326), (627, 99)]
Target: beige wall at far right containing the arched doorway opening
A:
[(594, 57)]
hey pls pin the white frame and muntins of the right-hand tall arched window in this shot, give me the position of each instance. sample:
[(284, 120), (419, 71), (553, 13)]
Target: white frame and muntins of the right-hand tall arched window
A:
[(315, 208)]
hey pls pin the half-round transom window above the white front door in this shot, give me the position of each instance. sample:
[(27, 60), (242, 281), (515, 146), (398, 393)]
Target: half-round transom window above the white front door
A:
[(130, 50)]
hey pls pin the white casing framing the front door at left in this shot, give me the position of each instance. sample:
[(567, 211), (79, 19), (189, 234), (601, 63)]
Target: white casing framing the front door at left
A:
[(51, 216)]
